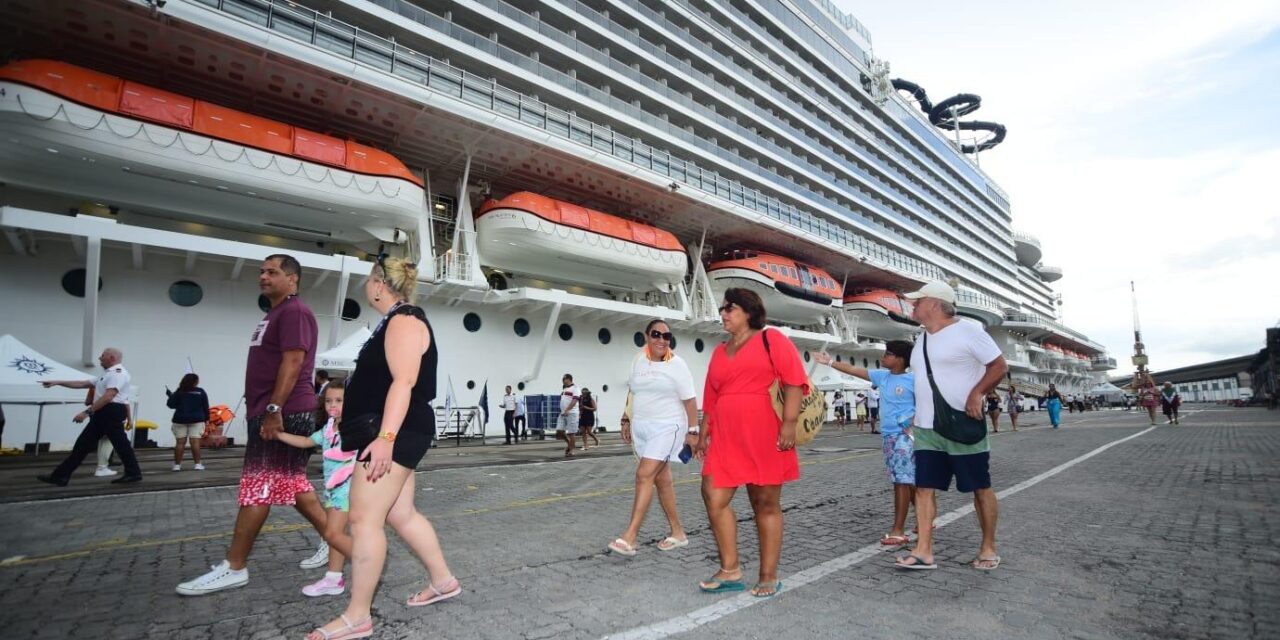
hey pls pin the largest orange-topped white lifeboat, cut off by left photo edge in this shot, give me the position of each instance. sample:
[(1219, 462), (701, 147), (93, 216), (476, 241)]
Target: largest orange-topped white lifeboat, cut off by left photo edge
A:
[(75, 131)]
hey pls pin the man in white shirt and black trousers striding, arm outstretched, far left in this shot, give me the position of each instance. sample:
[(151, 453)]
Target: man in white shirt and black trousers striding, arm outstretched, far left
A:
[(107, 415)]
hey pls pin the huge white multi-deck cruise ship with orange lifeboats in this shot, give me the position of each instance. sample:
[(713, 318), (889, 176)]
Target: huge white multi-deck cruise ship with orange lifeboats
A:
[(563, 171)]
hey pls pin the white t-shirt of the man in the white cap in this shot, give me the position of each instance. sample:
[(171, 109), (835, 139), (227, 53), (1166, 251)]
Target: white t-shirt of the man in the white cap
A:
[(961, 354)]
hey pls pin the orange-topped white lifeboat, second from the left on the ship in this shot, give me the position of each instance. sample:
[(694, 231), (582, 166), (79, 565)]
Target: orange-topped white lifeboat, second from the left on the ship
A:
[(538, 236)]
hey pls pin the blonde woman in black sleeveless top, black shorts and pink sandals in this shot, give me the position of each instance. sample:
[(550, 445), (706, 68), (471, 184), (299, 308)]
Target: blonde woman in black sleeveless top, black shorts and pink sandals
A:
[(388, 419)]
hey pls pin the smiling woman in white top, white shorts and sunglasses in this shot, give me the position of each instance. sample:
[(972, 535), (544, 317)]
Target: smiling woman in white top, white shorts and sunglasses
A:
[(661, 422)]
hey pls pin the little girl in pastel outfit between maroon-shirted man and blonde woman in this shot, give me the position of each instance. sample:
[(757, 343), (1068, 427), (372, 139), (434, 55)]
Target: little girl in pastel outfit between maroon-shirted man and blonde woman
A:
[(339, 467)]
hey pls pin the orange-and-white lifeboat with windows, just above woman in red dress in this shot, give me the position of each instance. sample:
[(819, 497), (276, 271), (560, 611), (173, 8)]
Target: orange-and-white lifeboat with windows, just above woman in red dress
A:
[(793, 292)]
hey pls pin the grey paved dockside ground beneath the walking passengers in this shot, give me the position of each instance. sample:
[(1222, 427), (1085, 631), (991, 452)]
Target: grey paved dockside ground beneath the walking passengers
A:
[(1172, 534)]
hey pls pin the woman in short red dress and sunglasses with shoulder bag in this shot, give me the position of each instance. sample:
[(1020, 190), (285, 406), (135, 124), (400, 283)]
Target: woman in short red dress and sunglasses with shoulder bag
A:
[(743, 441)]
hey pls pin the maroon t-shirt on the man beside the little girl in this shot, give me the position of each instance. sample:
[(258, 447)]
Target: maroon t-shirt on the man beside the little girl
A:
[(290, 326)]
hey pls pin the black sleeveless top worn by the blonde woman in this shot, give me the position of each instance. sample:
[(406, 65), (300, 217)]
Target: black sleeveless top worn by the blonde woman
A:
[(372, 381)]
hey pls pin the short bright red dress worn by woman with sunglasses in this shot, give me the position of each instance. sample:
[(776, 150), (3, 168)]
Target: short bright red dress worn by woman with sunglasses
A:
[(743, 446)]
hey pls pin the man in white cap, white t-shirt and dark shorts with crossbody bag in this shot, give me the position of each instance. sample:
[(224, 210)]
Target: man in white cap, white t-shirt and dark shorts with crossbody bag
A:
[(962, 364)]
